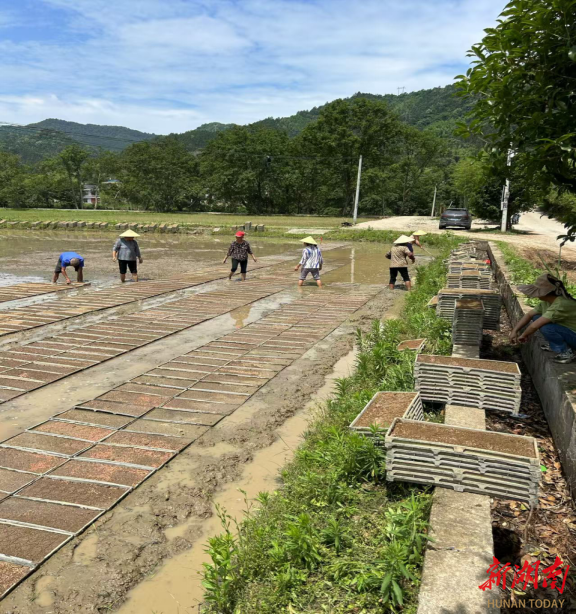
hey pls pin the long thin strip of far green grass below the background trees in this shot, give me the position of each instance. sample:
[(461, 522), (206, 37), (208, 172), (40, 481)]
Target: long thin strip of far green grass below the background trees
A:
[(190, 219)]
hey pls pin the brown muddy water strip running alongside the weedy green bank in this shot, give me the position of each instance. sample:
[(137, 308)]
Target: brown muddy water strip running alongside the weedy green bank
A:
[(176, 587)]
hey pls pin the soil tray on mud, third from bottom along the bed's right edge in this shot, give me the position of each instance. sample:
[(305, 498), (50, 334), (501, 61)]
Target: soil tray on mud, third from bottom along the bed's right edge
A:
[(44, 514)]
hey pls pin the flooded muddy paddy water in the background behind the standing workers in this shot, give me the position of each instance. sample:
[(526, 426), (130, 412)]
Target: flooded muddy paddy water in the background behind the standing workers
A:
[(31, 256)]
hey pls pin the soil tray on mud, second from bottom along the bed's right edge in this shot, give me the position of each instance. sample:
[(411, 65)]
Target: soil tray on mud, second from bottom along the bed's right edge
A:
[(29, 544)]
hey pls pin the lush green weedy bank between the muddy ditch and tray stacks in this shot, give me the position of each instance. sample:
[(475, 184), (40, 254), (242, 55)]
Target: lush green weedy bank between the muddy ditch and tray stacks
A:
[(335, 537)]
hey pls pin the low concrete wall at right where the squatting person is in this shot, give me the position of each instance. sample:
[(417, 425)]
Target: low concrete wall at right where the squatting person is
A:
[(556, 384)]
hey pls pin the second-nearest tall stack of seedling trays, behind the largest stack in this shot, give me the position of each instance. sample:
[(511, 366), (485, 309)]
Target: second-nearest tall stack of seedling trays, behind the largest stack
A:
[(485, 384)]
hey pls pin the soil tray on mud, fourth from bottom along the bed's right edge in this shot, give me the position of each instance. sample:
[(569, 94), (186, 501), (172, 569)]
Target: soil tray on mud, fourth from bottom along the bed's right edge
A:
[(80, 493)]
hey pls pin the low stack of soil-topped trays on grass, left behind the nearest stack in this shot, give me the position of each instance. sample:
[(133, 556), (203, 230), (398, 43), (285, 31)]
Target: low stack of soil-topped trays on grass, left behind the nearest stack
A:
[(384, 408)]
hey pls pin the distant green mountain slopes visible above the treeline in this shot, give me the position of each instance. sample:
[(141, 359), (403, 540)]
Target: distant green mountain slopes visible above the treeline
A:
[(436, 109)]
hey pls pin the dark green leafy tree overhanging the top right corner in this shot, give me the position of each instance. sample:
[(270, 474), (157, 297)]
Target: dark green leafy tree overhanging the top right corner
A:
[(523, 78)]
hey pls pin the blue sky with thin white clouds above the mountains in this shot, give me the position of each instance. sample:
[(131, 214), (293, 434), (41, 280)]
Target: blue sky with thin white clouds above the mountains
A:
[(170, 65)]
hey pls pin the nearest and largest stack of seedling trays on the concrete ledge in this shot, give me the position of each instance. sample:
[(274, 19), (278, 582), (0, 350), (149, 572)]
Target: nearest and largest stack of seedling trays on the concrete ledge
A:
[(463, 459)]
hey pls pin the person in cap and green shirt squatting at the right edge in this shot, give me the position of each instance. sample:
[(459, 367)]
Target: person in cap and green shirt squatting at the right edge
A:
[(554, 317)]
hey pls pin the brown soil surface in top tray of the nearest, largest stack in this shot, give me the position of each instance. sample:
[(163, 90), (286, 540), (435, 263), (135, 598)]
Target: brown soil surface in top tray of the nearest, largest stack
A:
[(484, 440)]
